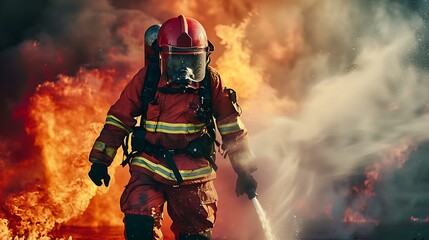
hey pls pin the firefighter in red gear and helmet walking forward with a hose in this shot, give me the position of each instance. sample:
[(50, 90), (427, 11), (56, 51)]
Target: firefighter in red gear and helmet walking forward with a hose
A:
[(178, 96)]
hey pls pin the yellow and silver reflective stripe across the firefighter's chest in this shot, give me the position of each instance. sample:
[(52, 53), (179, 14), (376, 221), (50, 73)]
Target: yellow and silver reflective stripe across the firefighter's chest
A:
[(173, 128)]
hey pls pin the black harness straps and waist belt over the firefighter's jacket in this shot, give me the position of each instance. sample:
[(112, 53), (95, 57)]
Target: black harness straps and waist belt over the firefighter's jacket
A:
[(200, 147)]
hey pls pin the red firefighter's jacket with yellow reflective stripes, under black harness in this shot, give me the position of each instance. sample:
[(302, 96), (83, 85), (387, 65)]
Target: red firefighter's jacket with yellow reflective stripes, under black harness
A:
[(171, 123)]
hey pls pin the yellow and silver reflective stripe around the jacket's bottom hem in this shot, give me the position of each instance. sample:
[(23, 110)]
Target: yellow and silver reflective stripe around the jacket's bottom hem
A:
[(168, 173)]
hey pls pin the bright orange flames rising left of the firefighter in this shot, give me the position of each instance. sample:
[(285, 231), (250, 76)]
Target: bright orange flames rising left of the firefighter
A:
[(66, 116)]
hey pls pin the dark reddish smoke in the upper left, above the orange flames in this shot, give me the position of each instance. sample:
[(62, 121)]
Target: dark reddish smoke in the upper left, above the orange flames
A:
[(42, 39)]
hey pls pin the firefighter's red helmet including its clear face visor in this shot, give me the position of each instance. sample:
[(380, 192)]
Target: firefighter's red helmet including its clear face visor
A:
[(184, 50)]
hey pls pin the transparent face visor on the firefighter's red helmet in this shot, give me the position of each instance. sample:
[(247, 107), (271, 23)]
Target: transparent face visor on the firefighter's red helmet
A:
[(186, 66)]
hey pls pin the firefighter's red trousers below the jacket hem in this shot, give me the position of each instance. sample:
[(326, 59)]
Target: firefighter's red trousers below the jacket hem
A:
[(191, 207)]
